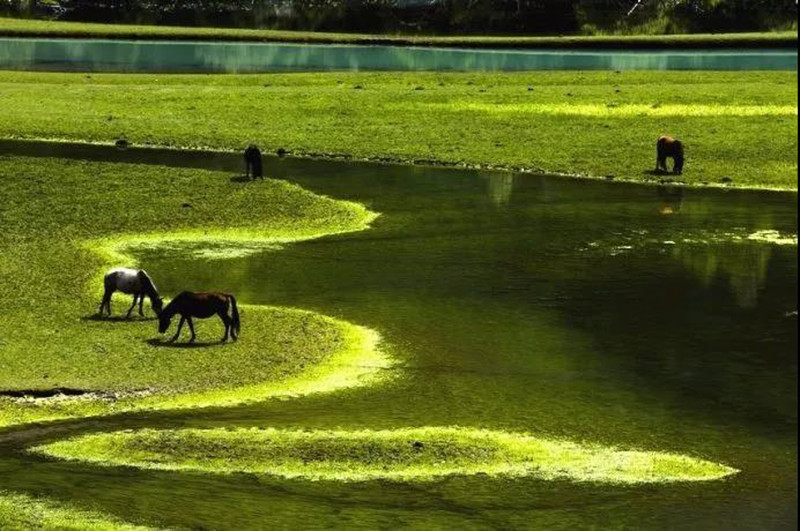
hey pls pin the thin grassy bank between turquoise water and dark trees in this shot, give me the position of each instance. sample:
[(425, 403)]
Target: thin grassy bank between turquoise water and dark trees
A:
[(11, 27)]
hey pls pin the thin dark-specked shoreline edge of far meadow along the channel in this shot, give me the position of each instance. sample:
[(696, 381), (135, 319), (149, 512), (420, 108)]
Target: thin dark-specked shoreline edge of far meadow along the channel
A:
[(431, 163)]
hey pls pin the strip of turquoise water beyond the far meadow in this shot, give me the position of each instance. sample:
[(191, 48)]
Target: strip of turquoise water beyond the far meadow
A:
[(163, 56)]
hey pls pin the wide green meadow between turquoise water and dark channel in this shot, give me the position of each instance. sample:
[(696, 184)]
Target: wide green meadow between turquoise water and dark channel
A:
[(740, 127)]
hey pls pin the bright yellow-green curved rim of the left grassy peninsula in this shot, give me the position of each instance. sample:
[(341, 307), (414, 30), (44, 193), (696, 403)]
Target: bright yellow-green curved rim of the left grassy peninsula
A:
[(360, 361)]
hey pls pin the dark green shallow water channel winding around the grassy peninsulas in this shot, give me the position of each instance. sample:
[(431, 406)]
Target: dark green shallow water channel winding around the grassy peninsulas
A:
[(637, 316)]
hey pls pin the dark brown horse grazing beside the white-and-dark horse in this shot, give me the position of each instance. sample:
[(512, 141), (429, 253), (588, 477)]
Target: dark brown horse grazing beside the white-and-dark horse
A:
[(201, 305)]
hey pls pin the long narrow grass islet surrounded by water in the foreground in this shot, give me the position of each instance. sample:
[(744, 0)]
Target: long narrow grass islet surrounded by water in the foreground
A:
[(399, 455)]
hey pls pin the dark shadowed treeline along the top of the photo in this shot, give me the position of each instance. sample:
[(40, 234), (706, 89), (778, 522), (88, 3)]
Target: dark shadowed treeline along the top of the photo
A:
[(431, 16)]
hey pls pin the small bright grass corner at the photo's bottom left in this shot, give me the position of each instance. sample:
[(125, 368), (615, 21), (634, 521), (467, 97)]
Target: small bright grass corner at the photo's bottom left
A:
[(21, 512)]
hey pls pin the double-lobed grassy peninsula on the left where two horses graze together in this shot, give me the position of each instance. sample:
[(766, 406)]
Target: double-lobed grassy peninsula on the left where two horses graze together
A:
[(66, 222)]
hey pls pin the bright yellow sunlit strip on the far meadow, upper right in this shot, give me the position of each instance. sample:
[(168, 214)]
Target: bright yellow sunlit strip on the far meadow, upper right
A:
[(619, 110)]
